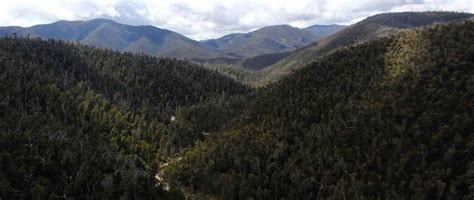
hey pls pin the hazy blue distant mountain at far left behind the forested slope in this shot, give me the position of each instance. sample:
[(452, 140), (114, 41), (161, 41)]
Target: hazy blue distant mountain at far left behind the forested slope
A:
[(109, 34)]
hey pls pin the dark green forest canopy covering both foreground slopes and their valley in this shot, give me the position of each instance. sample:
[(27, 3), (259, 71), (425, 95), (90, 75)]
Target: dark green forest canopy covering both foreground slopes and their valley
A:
[(391, 118)]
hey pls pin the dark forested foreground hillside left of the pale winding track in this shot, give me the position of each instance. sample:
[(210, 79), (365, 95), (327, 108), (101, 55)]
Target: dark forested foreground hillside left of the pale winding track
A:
[(79, 122)]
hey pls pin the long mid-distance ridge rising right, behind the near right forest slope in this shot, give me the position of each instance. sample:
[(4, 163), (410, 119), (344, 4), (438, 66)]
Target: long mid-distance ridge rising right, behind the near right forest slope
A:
[(377, 26)]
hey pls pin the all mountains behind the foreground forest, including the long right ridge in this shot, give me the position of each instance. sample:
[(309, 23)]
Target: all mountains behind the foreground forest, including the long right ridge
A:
[(275, 51)]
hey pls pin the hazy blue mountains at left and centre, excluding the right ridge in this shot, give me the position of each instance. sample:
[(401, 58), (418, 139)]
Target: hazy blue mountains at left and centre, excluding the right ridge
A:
[(154, 41)]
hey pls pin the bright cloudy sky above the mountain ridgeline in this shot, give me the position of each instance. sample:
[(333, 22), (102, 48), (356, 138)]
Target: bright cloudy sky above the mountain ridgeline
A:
[(205, 19)]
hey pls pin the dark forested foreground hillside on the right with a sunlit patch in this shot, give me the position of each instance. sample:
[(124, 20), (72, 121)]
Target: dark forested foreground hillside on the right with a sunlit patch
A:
[(387, 119)]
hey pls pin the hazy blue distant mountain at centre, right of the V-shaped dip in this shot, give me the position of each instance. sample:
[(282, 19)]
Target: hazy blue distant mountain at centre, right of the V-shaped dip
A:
[(271, 39)]
